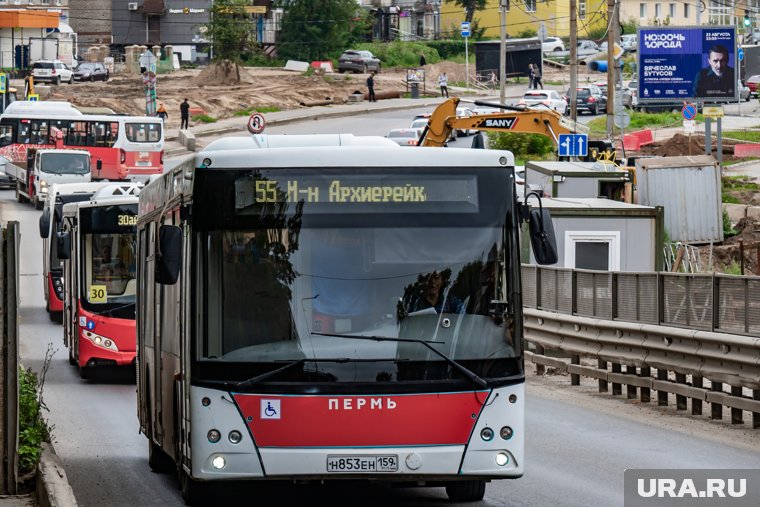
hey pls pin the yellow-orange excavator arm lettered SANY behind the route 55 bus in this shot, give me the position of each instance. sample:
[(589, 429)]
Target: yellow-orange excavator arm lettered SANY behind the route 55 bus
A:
[(535, 121)]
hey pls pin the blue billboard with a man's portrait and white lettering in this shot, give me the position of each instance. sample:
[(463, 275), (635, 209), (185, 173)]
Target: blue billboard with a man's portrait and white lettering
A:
[(687, 63)]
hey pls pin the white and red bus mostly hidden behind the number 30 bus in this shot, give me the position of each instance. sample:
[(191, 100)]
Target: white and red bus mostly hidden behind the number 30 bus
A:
[(51, 223)]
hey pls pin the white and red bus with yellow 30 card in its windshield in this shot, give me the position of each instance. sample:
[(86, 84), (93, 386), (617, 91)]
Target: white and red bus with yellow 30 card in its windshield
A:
[(98, 248)]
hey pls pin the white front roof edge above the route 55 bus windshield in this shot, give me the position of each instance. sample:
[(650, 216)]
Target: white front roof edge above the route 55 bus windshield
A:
[(351, 156)]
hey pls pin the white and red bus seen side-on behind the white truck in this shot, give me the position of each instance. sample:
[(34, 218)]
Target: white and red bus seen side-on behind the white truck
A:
[(128, 147)]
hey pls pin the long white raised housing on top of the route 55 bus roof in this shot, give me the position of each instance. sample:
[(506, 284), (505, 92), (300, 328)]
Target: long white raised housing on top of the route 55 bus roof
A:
[(290, 141)]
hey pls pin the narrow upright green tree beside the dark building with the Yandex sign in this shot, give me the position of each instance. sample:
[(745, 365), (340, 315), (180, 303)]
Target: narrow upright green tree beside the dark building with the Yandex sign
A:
[(229, 29)]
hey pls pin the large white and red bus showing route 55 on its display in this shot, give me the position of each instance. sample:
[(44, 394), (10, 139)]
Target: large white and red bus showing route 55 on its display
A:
[(333, 313)]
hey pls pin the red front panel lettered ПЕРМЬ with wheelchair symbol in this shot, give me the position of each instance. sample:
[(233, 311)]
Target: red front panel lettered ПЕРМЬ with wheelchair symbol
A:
[(327, 421)]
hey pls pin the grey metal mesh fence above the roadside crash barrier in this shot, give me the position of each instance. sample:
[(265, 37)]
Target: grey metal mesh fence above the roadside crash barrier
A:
[(708, 302)]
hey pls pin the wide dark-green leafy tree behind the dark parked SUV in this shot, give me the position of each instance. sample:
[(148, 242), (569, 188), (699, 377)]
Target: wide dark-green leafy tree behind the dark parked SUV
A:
[(318, 29)]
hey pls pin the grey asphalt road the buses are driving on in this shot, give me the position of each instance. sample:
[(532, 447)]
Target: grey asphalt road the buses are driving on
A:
[(577, 446)]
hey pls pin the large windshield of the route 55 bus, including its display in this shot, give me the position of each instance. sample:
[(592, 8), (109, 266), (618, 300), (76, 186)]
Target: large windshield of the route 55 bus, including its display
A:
[(302, 276)]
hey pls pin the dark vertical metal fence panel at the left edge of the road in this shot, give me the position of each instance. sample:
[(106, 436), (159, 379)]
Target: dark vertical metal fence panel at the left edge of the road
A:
[(9, 297)]
